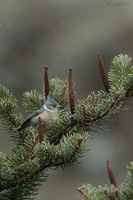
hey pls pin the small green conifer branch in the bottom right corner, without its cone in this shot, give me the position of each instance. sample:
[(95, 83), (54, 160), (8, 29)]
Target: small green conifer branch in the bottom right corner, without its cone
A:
[(123, 192)]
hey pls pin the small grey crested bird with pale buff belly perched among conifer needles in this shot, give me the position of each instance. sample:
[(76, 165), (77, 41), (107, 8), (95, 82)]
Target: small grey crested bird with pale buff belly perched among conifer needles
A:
[(49, 114)]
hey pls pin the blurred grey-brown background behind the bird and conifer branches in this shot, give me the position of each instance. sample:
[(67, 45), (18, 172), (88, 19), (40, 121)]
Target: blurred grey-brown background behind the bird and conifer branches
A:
[(61, 35)]
